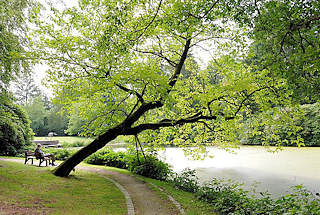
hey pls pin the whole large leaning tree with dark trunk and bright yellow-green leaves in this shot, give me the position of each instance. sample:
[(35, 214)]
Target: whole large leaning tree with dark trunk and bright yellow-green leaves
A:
[(130, 67)]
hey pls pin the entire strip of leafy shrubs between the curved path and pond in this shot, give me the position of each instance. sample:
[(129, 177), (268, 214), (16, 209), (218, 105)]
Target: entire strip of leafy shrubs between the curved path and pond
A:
[(225, 197)]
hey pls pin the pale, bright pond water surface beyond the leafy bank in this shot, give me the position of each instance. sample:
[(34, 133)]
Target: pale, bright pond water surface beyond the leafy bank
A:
[(253, 165)]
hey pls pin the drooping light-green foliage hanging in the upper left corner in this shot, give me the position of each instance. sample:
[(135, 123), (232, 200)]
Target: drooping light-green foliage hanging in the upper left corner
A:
[(12, 39)]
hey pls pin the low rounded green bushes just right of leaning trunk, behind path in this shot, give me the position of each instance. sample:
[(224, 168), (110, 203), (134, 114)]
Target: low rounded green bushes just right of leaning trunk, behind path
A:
[(150, 166)]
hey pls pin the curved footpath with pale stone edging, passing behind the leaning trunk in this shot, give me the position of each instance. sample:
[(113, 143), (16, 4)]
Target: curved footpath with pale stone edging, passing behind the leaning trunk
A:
[(141, 200)]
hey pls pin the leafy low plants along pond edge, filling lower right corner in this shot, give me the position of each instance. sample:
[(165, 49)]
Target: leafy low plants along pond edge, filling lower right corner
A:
[(229, 197)]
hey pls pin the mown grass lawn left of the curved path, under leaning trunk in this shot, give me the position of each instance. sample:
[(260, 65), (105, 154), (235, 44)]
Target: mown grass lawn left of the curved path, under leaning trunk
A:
[(26, 186)]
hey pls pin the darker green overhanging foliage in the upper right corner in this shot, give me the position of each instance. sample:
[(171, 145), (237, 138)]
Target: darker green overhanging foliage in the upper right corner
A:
[(286, 41)]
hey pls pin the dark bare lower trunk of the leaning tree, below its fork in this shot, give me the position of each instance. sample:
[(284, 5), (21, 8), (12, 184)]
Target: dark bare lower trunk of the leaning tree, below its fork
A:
[(67, 166)]
